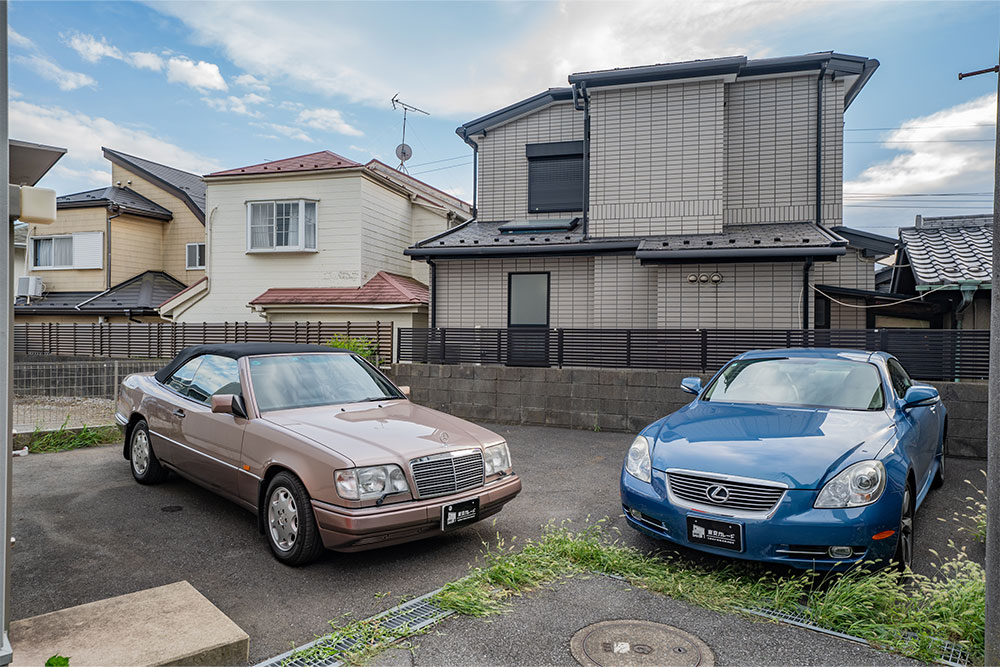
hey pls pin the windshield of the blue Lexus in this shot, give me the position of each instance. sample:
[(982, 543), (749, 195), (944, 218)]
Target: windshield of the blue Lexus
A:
[(800, 381)]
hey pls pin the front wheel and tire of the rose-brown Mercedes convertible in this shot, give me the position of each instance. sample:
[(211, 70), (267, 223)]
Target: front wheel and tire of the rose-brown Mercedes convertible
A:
[(289, 522)]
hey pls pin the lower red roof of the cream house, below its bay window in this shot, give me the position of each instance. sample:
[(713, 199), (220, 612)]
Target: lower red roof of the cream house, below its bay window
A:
[(383, 288)]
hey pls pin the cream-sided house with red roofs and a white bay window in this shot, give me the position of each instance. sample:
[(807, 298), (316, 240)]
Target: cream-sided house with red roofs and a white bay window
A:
[(316, 237)]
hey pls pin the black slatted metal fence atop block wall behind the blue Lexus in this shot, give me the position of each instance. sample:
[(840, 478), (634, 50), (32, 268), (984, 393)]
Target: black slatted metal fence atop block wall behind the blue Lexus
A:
[(928, 354)]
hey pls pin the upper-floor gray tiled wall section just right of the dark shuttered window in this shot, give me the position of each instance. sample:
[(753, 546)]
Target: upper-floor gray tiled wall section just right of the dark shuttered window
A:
[(657, 159)]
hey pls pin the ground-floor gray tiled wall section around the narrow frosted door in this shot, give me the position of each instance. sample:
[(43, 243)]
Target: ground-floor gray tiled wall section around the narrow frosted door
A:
[(473, 293)]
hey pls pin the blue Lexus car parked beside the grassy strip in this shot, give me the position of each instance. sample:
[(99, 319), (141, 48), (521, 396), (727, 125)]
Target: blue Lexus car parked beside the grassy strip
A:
[(813, 458)]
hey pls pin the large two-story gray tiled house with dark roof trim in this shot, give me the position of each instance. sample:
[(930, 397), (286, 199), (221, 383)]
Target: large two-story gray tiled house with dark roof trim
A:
[(704, 194)]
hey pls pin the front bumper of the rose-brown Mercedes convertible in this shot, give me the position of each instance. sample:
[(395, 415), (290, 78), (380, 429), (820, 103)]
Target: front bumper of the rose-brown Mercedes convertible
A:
[(343, 529)]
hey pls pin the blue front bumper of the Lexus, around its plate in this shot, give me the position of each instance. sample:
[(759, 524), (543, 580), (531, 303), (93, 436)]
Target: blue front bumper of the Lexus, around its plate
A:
[(787, 535)]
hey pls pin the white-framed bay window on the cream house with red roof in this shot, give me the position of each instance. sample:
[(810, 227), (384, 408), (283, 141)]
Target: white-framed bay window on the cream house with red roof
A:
[(281, 225)]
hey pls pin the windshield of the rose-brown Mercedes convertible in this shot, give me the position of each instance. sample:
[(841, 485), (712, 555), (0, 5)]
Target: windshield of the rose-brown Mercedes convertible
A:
[(285, 382)]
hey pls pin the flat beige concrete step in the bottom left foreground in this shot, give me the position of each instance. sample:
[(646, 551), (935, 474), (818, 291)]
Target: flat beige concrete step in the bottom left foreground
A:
[(167, 625)]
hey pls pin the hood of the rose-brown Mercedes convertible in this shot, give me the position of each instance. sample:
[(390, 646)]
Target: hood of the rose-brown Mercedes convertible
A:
[(375, 433)]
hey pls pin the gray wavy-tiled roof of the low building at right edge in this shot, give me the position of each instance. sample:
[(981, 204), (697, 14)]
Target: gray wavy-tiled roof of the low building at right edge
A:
[(948, 251)]
